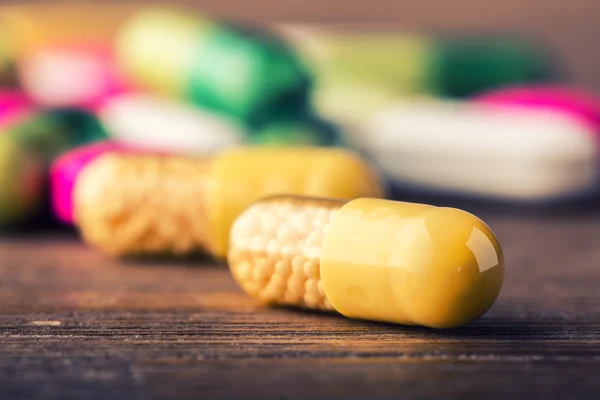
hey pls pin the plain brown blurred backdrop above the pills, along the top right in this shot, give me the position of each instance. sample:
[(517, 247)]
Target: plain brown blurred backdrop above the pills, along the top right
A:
[(570, 29)]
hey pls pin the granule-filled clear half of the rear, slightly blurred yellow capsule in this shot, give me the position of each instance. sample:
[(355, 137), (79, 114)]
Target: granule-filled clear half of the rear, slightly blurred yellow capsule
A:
[(134, 204)]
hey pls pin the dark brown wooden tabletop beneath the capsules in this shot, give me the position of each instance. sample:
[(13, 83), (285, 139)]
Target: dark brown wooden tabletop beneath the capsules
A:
[(74, 324)]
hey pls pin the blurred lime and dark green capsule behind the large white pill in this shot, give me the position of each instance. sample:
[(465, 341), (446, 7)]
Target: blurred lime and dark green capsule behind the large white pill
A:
[(358, 72)]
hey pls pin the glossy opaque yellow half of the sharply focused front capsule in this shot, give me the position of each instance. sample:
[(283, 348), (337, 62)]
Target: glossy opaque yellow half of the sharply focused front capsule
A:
[(410, 264)]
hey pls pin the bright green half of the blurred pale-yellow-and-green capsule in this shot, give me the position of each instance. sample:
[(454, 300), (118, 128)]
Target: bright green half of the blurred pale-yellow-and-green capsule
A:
[(248, 75)]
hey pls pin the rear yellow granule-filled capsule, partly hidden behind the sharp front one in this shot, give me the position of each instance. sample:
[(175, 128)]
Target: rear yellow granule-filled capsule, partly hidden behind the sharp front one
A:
[(130, 204)]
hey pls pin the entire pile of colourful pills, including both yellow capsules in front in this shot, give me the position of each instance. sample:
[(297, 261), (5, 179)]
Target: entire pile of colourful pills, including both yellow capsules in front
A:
[(165, 132)]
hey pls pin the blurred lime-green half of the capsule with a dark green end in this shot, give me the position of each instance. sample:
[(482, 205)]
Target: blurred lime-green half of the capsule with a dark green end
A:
[(358, 73)]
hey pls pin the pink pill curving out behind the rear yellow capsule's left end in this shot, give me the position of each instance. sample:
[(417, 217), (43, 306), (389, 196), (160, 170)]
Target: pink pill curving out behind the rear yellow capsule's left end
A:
[(66, 169)]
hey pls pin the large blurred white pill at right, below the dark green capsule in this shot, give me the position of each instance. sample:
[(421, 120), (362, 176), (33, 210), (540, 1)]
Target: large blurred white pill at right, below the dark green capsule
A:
[(509, 154)]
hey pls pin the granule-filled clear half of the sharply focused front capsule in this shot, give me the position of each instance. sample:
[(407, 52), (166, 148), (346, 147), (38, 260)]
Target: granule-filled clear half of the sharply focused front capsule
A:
[(276, 249)]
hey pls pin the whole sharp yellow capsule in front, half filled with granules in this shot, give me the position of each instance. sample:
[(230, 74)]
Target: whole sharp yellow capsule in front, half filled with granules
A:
[(379, 260)]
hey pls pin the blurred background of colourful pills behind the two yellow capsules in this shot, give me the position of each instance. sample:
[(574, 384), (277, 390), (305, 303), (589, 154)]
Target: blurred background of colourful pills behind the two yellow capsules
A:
[(494, 103)]
